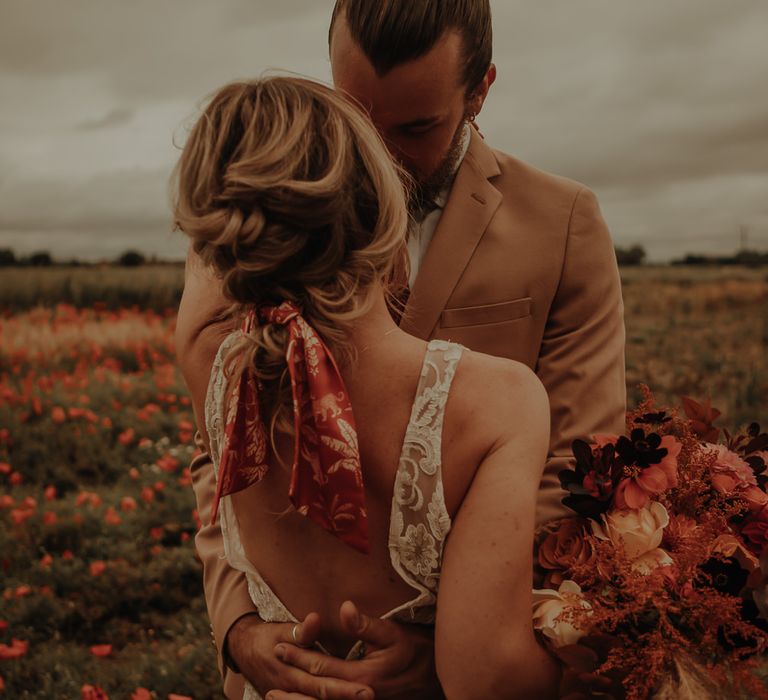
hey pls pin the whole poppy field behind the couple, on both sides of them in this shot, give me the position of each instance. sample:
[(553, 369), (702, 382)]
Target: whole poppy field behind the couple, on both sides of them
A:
[(101, 589)]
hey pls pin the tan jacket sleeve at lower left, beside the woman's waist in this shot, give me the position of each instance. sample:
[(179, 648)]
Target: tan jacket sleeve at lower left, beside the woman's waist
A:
[(226, 590)]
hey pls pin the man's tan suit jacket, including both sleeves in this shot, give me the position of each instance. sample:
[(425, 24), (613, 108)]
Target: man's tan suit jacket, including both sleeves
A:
[(522, 266)]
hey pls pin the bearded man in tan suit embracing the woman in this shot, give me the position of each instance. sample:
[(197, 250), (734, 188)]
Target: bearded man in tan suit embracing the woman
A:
[(505, 259)]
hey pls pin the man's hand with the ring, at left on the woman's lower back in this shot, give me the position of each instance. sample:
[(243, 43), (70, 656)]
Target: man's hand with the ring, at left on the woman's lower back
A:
[(252, 645)]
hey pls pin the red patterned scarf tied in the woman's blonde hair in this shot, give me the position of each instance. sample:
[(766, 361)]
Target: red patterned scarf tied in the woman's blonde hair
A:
[(326, 477)]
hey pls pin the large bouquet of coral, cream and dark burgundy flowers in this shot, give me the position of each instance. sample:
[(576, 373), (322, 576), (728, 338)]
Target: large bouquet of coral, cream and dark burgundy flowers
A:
[(658, 586)]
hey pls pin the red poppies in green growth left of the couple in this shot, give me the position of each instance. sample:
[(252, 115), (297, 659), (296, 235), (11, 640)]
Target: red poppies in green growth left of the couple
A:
[(100, 585)]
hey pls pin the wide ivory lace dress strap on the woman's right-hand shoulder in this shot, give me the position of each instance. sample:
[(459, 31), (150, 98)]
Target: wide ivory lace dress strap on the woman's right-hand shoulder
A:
[(420, 521)]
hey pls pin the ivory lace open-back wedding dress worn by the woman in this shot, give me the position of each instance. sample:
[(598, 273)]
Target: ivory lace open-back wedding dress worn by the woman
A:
[(419, 521)]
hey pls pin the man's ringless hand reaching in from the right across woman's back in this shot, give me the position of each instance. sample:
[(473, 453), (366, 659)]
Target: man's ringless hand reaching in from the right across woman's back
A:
[(399, 662)]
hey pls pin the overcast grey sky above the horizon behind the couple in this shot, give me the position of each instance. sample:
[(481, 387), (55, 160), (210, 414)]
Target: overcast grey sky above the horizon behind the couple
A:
[(660, 107)]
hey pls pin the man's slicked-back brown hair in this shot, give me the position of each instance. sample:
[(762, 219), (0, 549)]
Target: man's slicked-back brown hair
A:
[(392, 32)]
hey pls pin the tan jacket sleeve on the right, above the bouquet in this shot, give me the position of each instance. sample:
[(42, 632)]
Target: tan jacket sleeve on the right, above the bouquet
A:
[(581, 361)]
